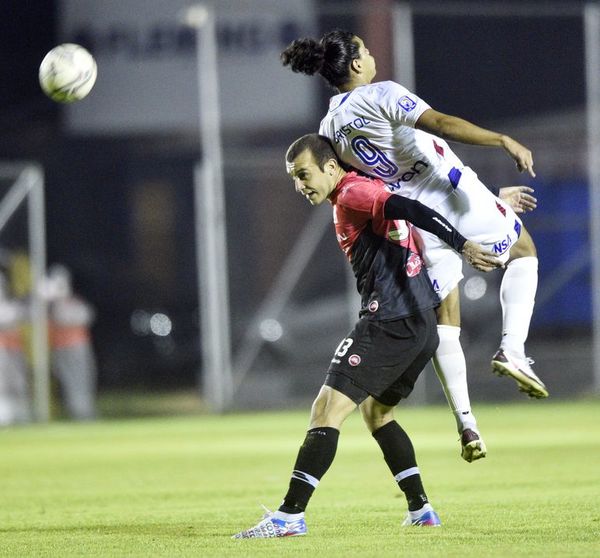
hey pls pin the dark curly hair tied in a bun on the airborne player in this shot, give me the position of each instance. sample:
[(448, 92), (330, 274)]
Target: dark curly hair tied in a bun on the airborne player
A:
[(331, 56)]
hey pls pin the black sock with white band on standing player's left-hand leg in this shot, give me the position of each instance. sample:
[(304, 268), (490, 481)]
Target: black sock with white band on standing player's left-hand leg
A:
[(314, 458)]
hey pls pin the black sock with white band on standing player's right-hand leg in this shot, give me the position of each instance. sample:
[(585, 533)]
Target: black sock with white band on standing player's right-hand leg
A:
[(399, 454)]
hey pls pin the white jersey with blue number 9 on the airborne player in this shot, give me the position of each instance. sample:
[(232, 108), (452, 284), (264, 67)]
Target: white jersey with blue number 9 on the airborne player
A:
[(372, 128)]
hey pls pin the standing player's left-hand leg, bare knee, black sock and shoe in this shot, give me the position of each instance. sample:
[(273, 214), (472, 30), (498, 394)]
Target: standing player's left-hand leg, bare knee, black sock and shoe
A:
[(315, 456)]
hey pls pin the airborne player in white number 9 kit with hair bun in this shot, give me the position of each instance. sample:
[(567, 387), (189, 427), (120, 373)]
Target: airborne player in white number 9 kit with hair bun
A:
[(389, 132)]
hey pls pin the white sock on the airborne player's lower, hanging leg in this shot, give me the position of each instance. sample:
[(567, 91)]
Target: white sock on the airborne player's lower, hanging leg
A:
[(451, 369)]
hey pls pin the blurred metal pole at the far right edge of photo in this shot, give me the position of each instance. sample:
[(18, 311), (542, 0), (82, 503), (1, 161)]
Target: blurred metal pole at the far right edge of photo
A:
[(592, 69)]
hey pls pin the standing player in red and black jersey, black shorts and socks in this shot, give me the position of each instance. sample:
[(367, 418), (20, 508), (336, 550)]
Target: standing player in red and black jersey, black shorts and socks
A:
[(377, 364)]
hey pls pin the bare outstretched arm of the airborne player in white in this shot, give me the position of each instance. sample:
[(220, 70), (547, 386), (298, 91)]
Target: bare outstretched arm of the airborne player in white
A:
[(458, 129)]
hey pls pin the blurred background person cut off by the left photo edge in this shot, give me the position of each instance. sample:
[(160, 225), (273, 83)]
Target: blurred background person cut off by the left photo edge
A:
[(14, 370)]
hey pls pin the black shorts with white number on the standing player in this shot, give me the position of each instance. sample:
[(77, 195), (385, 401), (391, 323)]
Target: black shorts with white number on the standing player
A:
[(383, 359)]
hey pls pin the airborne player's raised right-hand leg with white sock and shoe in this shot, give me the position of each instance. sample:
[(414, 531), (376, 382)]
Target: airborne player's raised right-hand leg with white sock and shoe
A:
[(517, 296)]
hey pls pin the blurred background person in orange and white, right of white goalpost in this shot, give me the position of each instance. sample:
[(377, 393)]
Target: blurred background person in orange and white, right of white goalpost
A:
[(72, 360)]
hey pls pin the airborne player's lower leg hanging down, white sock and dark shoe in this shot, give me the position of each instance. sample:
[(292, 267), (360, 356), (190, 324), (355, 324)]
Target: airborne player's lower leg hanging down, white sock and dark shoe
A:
[(450, 366)]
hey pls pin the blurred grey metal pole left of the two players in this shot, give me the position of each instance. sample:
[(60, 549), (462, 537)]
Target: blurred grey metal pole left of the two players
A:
[(210, 220)]
